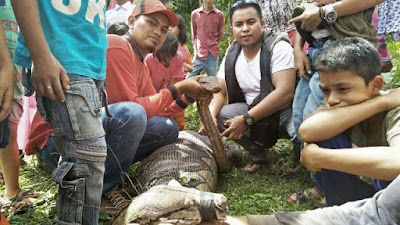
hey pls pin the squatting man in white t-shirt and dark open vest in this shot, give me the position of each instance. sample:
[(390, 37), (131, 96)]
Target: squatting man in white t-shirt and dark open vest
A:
[(261, 66)]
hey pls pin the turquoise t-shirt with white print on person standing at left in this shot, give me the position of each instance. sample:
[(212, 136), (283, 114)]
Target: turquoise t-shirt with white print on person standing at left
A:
[(75, 33)]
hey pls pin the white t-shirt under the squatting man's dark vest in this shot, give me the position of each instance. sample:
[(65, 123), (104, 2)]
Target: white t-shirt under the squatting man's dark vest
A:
[(248, 74)]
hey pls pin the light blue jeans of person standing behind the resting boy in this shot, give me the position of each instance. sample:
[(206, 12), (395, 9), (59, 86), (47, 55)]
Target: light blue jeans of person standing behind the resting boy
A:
[(308, 96)]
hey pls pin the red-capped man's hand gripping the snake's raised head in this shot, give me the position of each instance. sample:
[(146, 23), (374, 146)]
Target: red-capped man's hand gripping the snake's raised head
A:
[(192, 87)]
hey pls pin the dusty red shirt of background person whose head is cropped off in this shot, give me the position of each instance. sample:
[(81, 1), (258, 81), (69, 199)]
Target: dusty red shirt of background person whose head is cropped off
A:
[(207, 31)]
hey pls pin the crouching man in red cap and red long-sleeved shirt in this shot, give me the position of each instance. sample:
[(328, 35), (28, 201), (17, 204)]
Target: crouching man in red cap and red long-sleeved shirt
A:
[(128, 78)]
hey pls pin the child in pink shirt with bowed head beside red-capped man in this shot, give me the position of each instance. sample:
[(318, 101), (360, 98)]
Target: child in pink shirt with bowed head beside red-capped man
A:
[(166, 68)]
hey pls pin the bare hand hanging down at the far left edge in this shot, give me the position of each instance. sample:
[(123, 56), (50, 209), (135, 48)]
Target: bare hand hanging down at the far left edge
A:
[(6, 90)]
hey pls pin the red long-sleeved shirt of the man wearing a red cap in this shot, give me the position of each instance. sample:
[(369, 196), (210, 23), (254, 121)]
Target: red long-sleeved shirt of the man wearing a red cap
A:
[(128, 79)]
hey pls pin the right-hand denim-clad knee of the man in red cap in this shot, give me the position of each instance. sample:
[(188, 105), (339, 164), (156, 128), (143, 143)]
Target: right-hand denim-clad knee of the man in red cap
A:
[(160, 131)]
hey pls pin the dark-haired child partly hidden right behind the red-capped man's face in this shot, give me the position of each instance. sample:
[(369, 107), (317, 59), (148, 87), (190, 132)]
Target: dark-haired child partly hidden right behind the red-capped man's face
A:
[(180, 32)]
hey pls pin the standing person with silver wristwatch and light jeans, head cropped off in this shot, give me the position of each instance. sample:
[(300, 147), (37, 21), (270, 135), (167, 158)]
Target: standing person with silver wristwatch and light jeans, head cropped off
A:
[(350, 18)]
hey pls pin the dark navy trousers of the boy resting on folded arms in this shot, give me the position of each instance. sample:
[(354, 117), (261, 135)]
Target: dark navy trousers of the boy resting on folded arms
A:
[(340, 187)]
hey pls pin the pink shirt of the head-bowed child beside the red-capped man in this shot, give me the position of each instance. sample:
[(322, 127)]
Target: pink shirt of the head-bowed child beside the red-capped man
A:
[(161, 75)]
